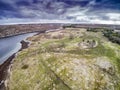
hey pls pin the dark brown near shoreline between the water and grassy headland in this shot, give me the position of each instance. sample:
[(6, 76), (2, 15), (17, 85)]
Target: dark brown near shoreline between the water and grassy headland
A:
[(4, 68)]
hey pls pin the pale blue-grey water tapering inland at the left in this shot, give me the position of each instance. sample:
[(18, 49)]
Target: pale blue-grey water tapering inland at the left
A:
[(11, 45)]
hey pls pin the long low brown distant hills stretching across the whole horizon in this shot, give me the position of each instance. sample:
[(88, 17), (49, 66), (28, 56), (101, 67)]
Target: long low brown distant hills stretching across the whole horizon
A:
[(9, 30)]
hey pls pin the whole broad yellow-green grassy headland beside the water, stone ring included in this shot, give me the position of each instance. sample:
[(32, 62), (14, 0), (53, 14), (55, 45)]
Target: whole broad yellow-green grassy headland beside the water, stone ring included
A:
[(59, 61)]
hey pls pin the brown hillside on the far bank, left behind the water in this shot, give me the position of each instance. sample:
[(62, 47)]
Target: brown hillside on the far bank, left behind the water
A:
[(10, 30)]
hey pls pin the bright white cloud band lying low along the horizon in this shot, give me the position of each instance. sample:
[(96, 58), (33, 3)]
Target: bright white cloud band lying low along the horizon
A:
[(5, 21)]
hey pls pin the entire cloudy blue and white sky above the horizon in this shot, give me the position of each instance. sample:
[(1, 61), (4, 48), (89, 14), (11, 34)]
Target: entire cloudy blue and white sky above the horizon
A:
[(60, 11)]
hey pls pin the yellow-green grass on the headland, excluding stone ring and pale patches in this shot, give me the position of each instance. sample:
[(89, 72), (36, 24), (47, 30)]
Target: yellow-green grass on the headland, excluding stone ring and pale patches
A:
[(40, 67)]
